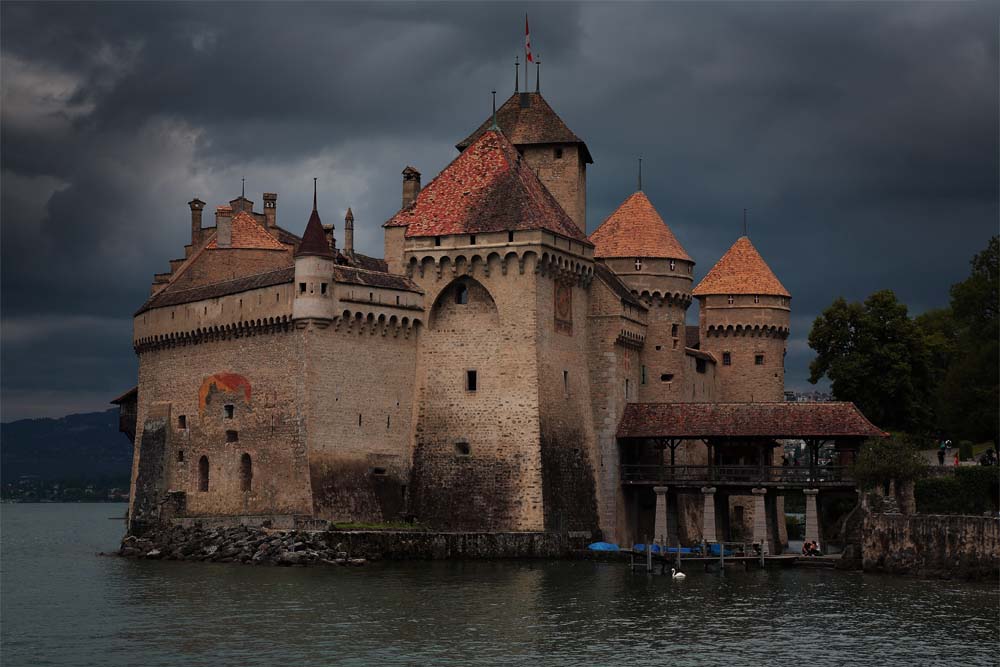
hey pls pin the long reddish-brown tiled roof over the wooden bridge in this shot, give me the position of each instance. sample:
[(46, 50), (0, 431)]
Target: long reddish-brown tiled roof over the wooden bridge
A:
[(745, 420)]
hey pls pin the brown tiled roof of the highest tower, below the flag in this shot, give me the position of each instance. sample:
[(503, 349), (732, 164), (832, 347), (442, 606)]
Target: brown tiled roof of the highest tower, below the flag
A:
[(526, 118)]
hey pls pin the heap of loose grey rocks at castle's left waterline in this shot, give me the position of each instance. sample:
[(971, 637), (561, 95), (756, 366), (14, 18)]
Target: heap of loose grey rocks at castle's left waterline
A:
[(241, 544)]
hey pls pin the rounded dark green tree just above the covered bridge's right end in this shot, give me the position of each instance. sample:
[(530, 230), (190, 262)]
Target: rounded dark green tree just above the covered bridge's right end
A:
[(876, 357)]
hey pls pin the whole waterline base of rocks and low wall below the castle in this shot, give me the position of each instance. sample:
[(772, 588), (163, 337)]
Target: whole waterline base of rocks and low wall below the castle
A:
[(255, 545)]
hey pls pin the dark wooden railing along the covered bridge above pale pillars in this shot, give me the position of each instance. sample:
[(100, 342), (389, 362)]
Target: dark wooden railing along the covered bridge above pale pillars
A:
[(726, 473)]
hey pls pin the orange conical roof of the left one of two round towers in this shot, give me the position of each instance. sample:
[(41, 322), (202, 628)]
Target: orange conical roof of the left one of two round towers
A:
[(635, 229)]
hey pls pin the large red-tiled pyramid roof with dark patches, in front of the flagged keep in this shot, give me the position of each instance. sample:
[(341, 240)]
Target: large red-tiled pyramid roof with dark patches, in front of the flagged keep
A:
[(487, 188)]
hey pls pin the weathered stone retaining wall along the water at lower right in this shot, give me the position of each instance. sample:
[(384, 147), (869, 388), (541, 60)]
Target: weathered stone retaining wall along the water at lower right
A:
[(941, 546)]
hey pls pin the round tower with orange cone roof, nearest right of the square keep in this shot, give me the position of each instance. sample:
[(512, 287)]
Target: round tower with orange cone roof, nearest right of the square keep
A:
[(638, 246)]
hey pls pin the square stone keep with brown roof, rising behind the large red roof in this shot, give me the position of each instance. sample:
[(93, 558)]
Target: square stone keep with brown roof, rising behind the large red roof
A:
[(558, 157)]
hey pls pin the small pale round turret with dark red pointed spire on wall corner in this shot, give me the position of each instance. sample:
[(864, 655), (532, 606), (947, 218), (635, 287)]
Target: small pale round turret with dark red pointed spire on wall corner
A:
[(314, 263)]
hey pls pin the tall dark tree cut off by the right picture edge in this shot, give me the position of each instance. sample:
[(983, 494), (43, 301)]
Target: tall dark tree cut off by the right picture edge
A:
[(968, 396)]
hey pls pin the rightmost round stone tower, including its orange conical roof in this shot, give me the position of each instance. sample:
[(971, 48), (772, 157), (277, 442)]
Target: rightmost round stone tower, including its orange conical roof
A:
[(744, 323)]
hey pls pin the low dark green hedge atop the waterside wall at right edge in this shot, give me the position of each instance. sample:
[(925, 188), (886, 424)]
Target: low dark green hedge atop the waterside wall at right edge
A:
[(969, 491)]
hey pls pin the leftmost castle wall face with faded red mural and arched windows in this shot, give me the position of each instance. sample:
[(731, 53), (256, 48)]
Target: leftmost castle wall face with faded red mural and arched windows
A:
[(190, 387)]
